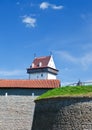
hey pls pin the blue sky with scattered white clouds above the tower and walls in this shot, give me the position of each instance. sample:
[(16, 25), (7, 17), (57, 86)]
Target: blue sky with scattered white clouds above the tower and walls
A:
[(63, 27)]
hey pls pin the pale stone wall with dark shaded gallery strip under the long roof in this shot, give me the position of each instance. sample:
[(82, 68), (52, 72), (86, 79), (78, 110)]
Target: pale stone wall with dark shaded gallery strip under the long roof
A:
[(17, 108)]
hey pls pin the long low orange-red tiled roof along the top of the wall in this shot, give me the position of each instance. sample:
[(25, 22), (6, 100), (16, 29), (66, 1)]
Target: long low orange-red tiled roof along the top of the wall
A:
[(29, 83)]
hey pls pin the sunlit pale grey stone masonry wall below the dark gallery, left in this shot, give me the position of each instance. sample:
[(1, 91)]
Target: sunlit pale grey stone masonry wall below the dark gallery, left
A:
[(16, 112)]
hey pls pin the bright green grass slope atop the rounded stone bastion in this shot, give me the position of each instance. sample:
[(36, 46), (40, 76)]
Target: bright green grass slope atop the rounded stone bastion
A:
[(68, 91)]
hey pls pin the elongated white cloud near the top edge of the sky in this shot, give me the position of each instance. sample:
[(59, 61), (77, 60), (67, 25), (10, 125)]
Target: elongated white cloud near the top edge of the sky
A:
[(45, 5)]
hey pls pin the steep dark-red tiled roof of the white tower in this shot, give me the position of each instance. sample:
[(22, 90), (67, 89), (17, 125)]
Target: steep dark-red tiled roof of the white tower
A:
[(43, 60)]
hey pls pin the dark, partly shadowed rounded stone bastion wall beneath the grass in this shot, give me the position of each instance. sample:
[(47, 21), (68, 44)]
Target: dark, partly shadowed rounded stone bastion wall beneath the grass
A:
[(63, 113)]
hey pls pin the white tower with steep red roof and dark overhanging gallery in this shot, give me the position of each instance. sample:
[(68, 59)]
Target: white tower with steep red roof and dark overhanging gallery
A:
[(42, 68)]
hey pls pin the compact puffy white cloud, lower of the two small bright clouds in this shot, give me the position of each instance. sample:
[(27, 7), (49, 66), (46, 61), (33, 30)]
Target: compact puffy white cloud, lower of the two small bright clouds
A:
[(29, 21)]
